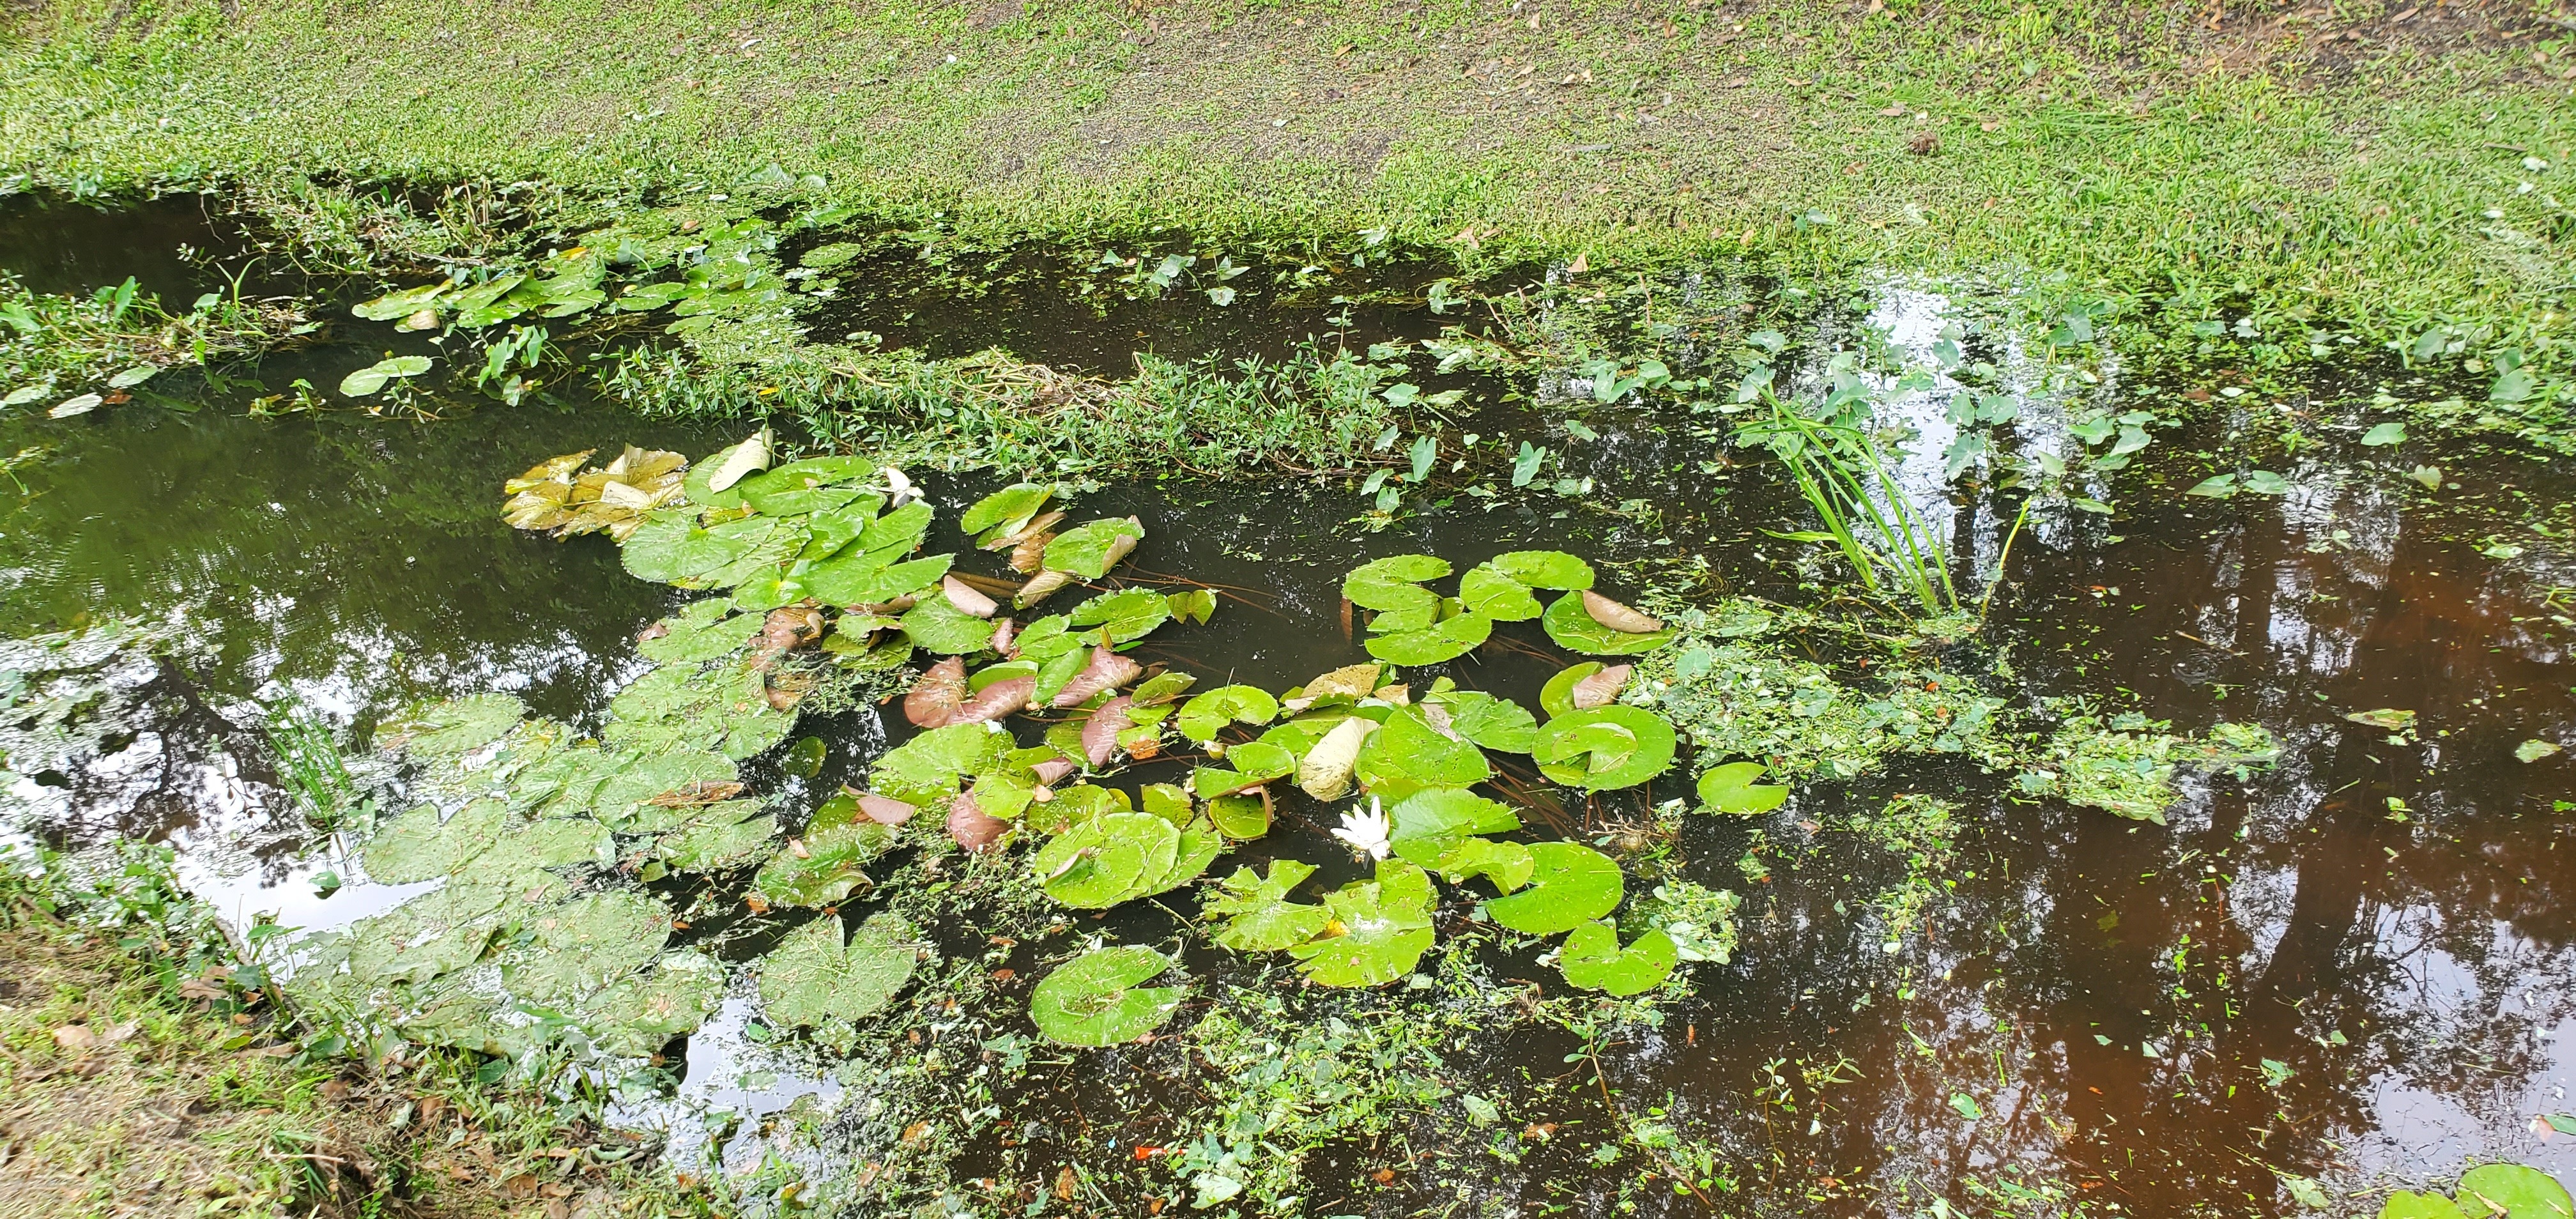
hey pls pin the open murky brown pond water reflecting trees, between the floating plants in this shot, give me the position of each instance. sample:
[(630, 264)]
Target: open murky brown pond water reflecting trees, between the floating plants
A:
[(2356, 965)]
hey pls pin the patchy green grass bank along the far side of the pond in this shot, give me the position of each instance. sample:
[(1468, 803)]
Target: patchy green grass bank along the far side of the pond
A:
[(2258, 169)]
